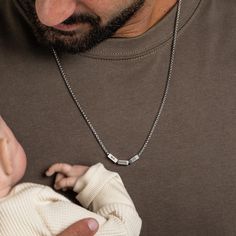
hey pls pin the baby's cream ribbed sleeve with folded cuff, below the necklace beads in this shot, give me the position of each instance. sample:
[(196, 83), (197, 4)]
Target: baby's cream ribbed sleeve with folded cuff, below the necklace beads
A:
[(103, 192)]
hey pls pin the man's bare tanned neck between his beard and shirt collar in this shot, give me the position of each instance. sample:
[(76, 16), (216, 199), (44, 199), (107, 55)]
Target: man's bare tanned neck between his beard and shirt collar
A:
[(152, 12)]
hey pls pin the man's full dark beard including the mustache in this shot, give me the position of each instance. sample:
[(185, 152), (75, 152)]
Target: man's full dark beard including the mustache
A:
[(78, 41)]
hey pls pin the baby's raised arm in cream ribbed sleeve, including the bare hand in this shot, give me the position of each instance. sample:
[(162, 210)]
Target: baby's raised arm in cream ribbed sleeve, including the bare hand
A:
[(103, 192)]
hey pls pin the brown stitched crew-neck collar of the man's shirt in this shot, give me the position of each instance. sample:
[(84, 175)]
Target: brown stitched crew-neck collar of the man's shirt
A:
[(159, 34)]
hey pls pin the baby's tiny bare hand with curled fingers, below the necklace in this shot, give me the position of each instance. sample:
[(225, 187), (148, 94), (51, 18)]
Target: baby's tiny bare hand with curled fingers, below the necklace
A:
[(67, 175)]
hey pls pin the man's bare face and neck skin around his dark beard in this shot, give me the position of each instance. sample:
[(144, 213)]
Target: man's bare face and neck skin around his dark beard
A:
[(53, 12)]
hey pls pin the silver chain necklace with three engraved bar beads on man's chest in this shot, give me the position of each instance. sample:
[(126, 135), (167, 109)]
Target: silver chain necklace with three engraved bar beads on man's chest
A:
[(160, 109)]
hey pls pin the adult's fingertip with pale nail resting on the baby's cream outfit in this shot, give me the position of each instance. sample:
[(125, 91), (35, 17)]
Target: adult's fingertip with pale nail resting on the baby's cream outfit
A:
[(85, 227)]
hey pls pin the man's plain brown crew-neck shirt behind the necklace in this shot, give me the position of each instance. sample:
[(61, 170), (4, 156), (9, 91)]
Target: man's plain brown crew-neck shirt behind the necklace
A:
[(185, 182)]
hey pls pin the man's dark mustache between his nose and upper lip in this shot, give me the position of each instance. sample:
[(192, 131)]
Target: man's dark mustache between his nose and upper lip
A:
[(82, 18)]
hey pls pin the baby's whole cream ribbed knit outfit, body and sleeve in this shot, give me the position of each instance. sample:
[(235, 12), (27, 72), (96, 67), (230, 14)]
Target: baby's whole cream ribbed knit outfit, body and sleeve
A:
[(35, 210)]
